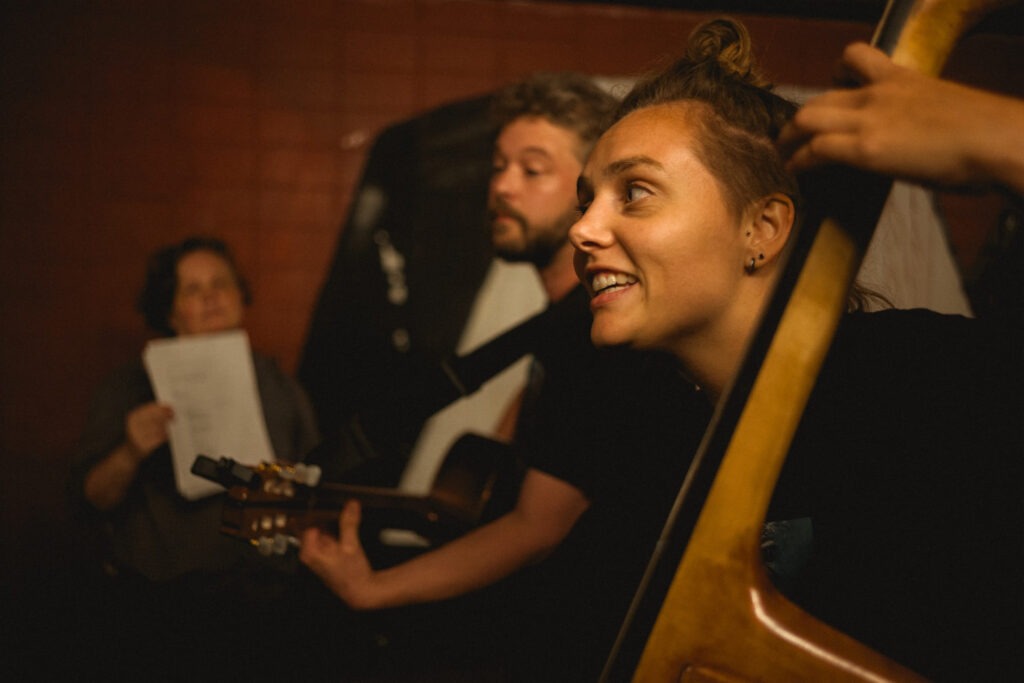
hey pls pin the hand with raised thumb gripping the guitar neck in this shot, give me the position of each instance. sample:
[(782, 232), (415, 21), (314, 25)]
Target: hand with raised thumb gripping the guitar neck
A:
[(342, 564)]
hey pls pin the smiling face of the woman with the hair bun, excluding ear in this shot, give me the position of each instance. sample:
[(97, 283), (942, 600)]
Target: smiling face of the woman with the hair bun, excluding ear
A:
[(659, 249)]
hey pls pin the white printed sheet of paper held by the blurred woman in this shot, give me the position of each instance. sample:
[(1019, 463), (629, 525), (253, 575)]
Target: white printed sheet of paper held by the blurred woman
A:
[(210, 382)]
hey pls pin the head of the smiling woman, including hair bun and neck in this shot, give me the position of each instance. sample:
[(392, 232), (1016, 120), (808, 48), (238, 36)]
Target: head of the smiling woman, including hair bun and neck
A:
[(687, 200)]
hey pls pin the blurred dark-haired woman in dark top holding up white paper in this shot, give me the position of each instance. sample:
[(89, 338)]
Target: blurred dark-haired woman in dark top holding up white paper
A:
[(167, 556)]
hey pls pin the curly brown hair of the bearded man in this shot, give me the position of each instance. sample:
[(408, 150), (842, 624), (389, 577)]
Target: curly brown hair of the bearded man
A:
[(569, 100)]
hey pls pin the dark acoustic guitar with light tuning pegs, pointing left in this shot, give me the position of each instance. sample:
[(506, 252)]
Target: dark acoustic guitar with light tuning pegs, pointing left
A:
[(271, 504)]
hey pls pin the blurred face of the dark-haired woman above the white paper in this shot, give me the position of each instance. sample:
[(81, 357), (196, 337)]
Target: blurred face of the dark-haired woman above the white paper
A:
[(208, 297)]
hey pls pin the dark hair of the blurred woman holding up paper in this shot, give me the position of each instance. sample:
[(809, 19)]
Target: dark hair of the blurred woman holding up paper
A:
[(157, 298)]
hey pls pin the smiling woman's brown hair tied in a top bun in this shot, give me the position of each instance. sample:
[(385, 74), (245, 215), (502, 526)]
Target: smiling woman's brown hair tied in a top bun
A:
[(739, 116)]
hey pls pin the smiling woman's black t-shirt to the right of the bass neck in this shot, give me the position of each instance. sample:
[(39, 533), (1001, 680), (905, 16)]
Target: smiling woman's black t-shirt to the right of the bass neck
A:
[(905, 484)]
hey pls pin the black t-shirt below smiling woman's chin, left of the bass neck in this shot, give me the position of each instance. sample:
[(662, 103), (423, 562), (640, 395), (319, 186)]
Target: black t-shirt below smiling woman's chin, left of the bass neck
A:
[(622, 426)]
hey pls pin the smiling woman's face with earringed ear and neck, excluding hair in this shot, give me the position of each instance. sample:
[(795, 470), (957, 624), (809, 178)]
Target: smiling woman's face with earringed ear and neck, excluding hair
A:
[(679, 244)]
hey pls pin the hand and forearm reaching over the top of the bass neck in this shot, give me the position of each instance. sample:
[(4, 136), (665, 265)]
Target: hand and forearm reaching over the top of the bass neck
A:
[(908, 125)]
